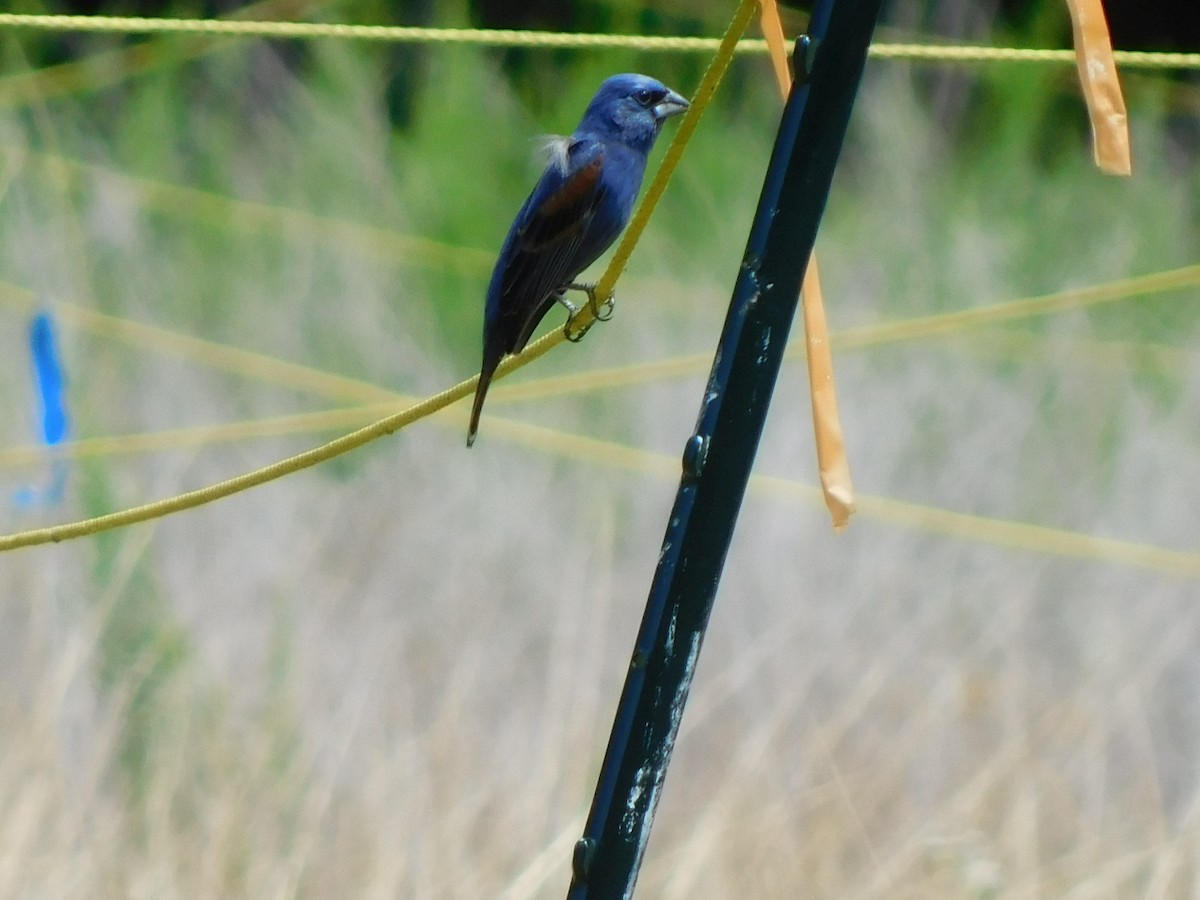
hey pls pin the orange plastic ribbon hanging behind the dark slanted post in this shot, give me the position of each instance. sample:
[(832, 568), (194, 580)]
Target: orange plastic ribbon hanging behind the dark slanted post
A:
[(832, 465)]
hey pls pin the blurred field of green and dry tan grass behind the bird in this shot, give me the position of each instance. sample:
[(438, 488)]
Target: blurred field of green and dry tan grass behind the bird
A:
[(394, 676)]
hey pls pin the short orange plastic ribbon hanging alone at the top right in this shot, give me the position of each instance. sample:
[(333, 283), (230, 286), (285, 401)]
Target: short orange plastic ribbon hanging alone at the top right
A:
[(1099, 77)]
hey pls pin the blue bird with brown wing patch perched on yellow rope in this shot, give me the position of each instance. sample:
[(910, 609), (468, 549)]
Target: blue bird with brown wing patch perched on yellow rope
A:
[(577, 211)]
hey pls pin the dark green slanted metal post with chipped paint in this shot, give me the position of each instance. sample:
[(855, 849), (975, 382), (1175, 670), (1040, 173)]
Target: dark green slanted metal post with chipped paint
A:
[(718, 458)]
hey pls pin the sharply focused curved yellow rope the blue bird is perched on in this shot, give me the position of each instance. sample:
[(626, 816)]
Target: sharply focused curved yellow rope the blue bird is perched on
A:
[(428, 407)]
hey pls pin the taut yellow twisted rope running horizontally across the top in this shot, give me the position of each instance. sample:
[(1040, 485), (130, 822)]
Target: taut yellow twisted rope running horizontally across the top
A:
[(507, 38)]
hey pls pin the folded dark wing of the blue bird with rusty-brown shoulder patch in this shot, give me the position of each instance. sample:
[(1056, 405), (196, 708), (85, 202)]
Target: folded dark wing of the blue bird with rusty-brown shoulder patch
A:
[(545, 253)]
